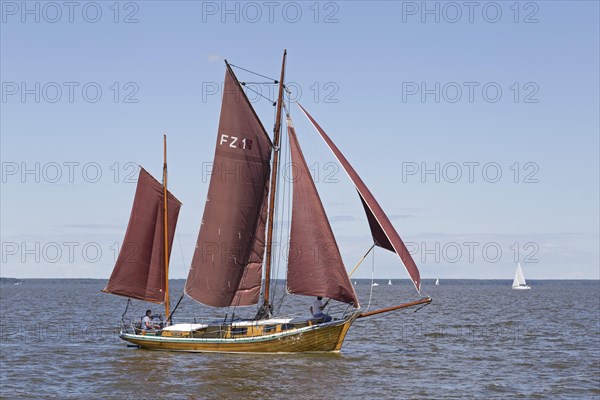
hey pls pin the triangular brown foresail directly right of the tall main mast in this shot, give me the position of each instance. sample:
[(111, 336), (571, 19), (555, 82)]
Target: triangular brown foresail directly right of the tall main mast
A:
[(315, 266)]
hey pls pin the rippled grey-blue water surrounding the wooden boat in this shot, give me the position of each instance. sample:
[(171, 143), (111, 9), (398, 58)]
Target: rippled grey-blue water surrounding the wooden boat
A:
[(478, 339)]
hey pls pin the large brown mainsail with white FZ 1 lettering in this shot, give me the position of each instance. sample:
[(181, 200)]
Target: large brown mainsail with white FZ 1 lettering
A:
[(227, 265)]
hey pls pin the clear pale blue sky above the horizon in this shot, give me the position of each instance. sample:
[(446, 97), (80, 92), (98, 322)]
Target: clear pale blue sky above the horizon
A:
[(402, 88)]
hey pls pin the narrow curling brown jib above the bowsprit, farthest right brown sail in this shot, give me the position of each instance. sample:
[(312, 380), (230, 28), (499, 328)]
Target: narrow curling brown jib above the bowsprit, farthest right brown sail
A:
[(382, 229)]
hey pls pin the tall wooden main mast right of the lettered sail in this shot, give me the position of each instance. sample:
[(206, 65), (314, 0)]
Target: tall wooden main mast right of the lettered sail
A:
[(272, 194)]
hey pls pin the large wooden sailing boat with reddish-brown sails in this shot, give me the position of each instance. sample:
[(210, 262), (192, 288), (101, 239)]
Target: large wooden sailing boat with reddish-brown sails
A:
[(233, 259)]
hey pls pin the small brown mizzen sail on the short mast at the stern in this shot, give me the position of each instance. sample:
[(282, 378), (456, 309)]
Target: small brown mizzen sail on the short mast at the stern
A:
[(139, 272)]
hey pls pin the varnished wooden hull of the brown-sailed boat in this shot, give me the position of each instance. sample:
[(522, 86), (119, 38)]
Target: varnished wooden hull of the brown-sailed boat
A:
[(325, 337)]
